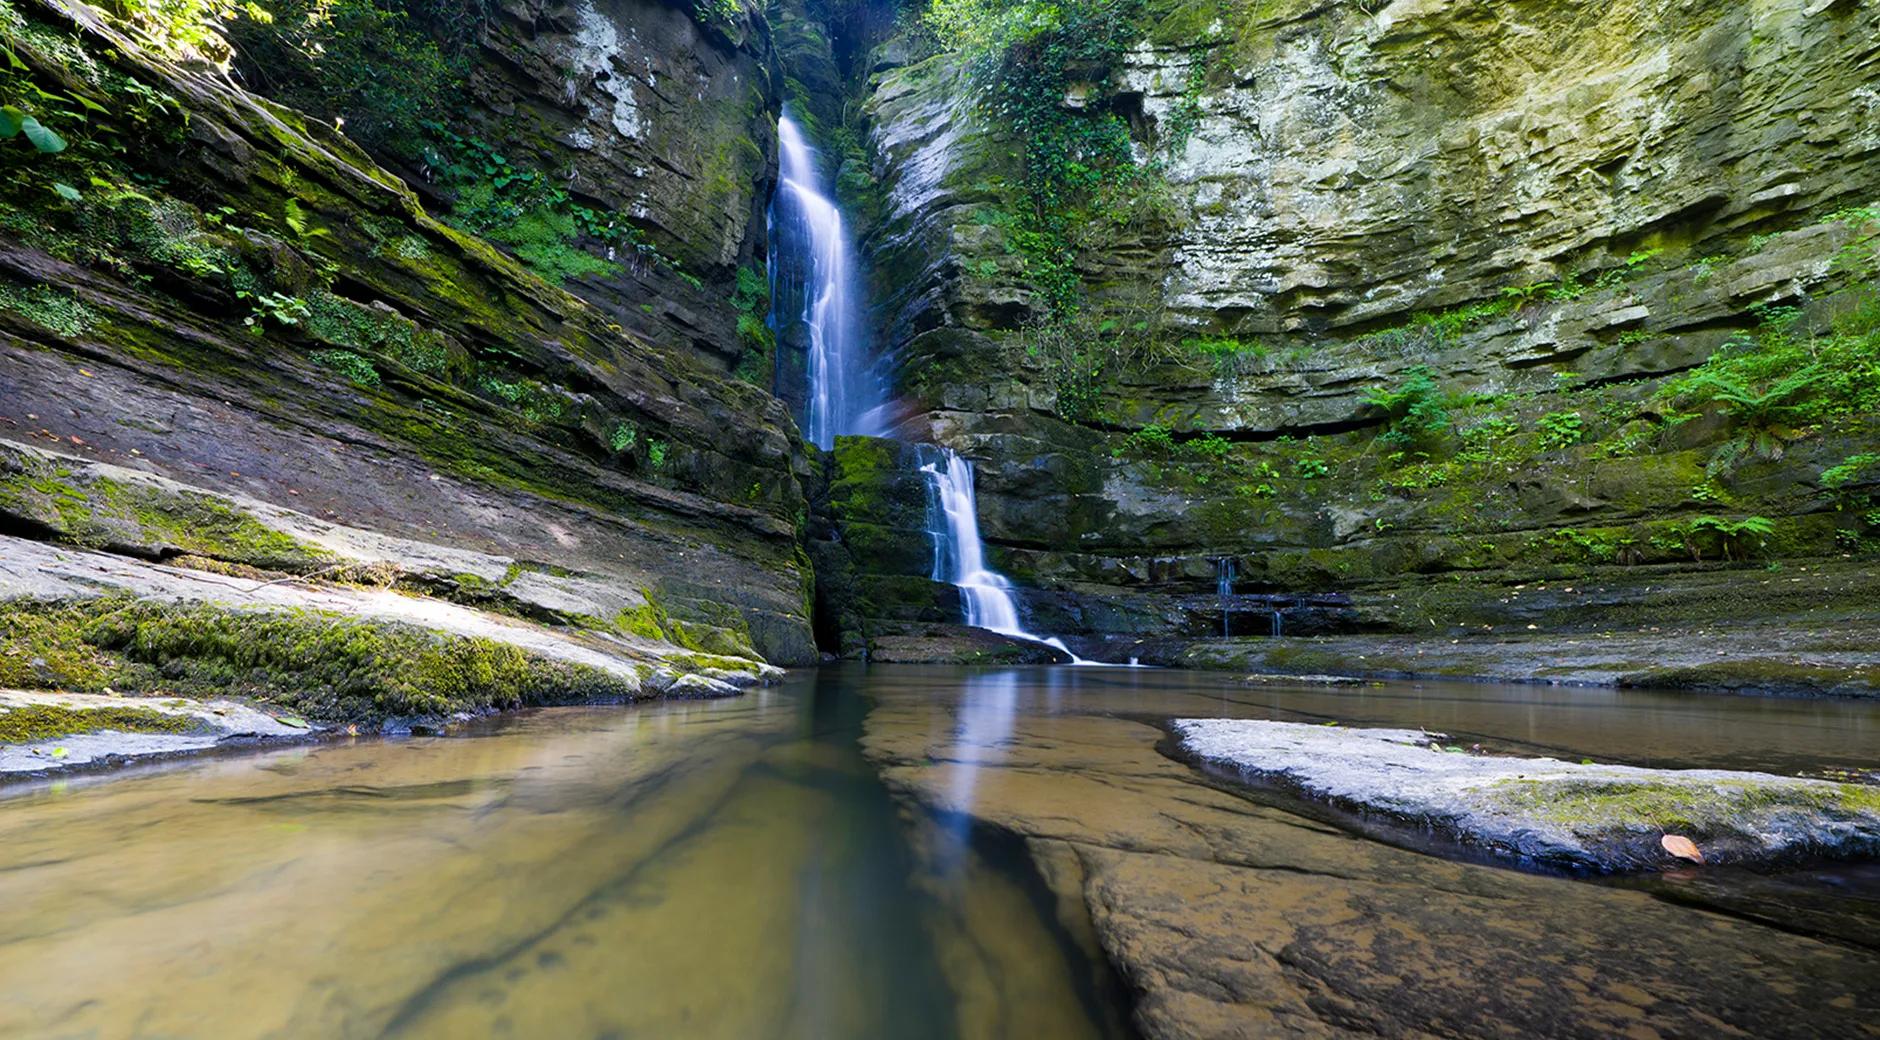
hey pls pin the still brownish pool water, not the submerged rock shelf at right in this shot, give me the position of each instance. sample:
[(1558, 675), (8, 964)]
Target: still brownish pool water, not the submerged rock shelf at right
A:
[(687, 870)]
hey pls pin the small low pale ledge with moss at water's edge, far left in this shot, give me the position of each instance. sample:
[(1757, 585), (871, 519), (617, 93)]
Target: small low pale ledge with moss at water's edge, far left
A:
[(193, 727)]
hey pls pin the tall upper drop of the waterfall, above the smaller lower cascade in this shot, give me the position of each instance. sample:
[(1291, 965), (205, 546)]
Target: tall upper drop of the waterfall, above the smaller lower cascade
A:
[(809, 240)]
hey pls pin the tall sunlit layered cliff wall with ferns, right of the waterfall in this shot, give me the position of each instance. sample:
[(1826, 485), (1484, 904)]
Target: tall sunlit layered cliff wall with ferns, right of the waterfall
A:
[(1550, 212)]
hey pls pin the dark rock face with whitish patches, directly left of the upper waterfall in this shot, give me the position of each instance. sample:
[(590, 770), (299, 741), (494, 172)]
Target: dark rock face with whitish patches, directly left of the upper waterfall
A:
[(655, 116)]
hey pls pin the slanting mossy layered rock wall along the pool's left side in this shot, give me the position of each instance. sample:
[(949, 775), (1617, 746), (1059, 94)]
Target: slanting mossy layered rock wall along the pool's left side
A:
[(230, 341)]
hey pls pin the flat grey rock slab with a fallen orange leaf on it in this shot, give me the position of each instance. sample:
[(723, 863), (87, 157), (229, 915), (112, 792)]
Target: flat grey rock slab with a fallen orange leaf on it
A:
[(1582, 817)]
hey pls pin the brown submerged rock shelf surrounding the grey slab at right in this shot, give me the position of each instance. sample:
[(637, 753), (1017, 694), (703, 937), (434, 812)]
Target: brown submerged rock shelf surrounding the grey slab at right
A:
[(1236, 915)]
